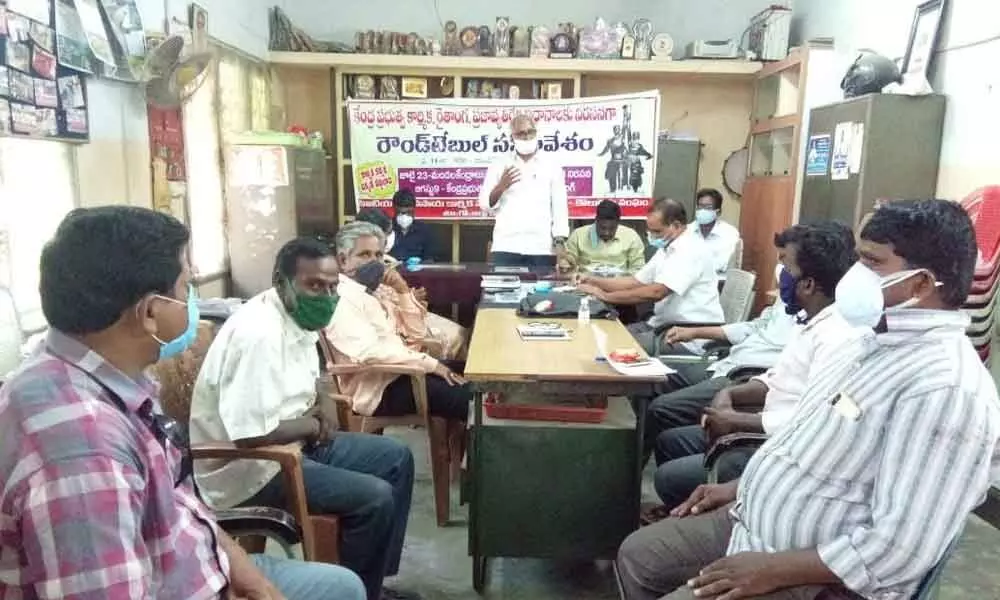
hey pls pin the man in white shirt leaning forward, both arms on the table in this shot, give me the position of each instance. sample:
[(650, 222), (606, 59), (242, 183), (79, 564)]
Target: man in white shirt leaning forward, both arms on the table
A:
[(679, 278)]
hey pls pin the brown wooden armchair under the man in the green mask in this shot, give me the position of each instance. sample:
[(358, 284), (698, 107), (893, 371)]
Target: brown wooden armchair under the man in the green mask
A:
[(320, 534)]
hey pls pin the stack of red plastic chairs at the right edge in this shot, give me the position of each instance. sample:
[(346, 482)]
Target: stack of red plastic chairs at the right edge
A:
[(983, 207)]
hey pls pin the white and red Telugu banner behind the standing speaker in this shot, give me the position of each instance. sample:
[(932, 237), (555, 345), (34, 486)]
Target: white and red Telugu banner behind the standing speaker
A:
[(440, 149)]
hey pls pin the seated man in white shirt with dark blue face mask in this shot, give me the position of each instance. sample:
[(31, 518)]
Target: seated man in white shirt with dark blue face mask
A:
[(813, 260)]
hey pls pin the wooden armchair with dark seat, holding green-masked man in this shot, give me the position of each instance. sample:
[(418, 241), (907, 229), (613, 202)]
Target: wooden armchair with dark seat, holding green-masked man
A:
[(319, 534)]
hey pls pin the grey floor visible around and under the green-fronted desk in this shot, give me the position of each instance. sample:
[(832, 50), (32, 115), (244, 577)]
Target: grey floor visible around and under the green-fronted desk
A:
[(436, 564)]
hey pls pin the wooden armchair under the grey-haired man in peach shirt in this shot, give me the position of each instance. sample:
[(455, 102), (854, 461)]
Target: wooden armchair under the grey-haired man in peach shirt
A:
[(447, 438)]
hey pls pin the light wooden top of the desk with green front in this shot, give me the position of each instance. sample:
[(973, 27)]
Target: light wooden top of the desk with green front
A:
[(497, 352)]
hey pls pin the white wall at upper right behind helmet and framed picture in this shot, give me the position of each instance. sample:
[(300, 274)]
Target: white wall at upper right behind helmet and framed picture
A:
[(965, 70)]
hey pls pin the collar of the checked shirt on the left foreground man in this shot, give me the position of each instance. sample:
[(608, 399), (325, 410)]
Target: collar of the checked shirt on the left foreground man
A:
[(134, 393)]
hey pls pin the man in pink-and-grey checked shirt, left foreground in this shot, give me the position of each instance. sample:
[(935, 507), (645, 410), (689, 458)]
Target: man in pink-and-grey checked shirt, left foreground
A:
[(96, 501)]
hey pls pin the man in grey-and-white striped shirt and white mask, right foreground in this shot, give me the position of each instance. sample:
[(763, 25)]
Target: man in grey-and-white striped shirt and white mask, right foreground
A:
[(894, 443)]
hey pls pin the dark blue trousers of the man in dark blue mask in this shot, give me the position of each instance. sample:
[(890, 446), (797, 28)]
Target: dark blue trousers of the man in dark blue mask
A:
[(680, 456)]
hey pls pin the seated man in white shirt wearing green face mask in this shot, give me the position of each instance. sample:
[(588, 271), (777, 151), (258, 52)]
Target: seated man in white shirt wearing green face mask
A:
[(257, 387)]
